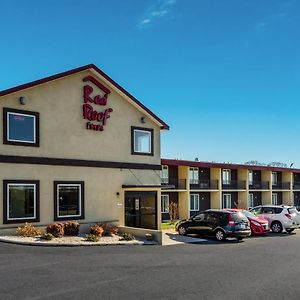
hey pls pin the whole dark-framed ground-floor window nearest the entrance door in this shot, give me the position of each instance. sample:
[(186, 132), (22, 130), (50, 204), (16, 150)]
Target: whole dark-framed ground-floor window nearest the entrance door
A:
[(69, 200)]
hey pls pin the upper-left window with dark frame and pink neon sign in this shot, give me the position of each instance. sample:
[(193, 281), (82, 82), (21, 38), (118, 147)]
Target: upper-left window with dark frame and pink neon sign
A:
[(20, 127)]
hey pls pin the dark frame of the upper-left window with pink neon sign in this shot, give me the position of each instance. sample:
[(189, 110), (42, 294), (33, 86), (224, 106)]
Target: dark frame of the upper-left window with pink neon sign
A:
[(7, 141)]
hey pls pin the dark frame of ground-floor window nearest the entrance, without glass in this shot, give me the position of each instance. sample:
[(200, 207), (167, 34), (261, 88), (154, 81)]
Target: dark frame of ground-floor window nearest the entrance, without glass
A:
[(56, 200)]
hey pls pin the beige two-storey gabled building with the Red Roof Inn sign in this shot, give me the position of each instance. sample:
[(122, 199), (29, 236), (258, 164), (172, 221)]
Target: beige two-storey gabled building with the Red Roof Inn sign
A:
[(77, 146)]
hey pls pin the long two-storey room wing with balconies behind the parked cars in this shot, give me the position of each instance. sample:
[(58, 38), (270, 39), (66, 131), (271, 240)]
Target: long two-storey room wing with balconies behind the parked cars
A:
[(195, 186)]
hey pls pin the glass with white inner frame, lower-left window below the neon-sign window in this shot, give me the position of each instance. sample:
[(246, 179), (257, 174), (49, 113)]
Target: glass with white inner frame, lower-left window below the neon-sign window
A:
[(21, 201)]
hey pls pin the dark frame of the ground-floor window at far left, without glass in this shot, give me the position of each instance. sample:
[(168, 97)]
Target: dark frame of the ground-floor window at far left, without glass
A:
[(6, 184)]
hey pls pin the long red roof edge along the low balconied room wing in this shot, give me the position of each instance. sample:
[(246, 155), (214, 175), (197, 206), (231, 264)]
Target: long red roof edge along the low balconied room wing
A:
[(201, 164)]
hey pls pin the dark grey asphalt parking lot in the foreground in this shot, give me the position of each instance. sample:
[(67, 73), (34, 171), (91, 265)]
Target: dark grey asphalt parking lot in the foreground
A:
[(259, 267)]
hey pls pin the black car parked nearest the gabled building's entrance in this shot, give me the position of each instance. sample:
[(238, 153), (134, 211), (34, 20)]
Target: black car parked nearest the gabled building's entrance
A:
[(218, 223)]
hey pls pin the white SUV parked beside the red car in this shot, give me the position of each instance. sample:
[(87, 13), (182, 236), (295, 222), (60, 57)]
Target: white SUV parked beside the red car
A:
[(279, 217)]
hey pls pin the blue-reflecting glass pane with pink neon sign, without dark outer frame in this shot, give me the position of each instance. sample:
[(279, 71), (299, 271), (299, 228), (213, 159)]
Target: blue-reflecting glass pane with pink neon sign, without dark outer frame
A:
[(21, 128)]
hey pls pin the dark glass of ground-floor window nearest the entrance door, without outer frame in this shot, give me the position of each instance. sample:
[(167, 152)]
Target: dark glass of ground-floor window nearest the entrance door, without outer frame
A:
[(69, 200)]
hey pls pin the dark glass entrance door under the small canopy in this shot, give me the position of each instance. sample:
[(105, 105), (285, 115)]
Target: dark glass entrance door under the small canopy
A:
[(141, 209)]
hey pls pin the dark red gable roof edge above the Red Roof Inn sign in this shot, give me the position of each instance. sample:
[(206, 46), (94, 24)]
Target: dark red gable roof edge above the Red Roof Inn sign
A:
[(136, 102)]
